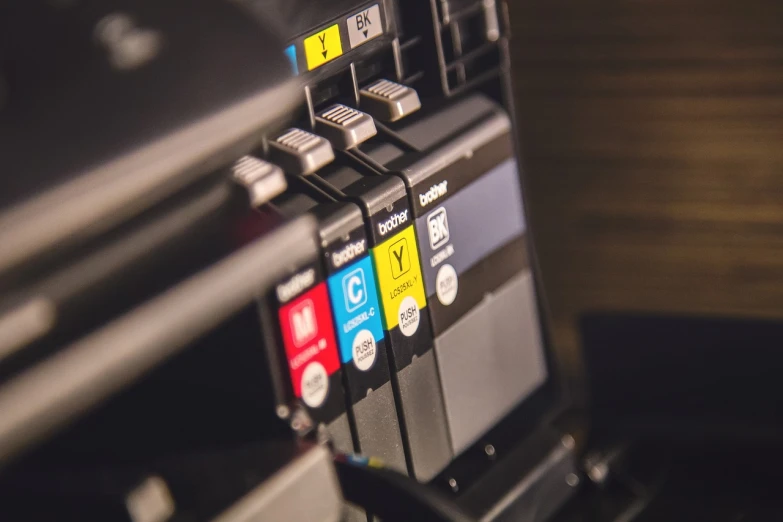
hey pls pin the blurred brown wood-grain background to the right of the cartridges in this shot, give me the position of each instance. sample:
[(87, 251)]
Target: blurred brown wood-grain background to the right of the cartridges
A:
[(652, 136)]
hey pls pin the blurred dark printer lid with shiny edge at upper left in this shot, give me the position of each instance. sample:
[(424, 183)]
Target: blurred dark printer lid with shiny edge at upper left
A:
[(110, 107)]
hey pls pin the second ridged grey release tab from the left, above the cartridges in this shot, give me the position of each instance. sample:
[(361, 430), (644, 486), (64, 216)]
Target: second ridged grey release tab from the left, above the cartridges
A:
[(300, 152)]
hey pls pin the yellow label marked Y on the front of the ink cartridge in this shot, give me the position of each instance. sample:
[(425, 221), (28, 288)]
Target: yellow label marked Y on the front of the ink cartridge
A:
[(399, 275)]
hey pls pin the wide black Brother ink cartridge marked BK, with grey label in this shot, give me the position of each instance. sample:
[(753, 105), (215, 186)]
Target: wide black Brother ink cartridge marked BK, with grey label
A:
[(466, 201)]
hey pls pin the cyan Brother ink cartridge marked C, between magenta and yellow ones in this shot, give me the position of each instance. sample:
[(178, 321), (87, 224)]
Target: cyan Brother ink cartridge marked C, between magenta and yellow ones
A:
[(357, 318)]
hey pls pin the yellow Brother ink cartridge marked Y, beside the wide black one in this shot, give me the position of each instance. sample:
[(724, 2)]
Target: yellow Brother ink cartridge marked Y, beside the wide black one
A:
[(393, 247)]
